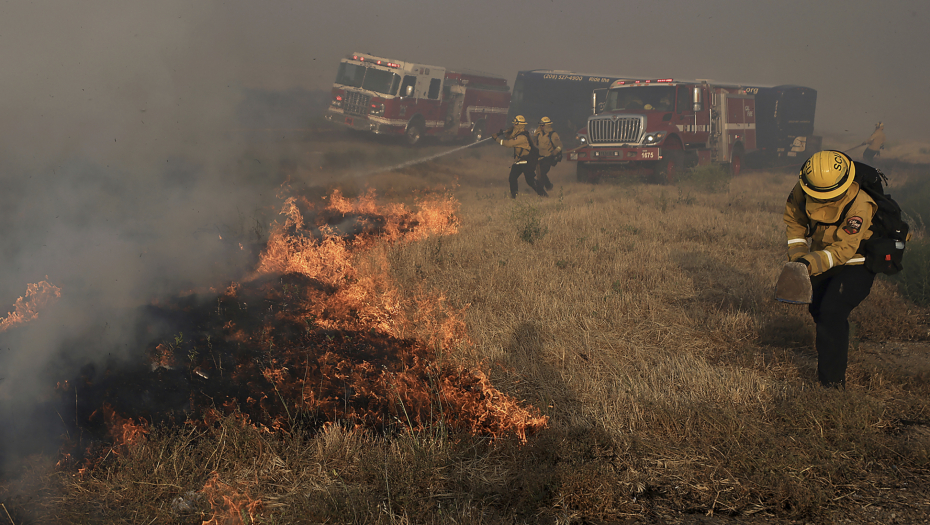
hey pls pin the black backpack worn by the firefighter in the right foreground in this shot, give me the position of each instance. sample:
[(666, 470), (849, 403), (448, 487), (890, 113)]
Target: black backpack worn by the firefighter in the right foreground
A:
[(884, 250)]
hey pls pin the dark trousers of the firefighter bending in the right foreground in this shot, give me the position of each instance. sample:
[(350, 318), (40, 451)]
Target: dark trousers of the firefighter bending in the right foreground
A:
[(836, 293)]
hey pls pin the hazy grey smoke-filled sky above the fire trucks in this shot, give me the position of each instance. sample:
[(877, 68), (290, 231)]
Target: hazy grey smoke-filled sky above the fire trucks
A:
[(76, 72)]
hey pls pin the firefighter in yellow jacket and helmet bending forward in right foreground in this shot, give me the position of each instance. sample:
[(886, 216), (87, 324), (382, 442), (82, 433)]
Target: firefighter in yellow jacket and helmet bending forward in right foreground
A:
[(827, 218)]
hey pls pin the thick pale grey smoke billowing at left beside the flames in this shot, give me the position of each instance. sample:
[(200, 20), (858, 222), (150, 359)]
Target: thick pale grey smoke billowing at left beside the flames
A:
[(121, 180)]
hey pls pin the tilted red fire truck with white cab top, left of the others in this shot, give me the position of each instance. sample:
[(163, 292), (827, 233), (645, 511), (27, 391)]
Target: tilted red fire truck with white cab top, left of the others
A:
[(411, 100)]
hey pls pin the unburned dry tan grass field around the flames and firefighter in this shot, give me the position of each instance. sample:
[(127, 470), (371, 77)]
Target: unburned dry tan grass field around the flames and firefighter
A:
[(638, 319)]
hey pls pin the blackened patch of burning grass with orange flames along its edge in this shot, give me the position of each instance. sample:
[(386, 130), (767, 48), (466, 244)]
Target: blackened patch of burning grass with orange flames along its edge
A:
[(318, 335)]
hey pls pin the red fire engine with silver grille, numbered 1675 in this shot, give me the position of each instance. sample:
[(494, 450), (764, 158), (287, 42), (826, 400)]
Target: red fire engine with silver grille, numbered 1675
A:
[(665, 125)]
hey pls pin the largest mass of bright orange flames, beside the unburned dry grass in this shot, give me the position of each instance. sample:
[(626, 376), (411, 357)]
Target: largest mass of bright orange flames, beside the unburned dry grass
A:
[(403, 384)]
